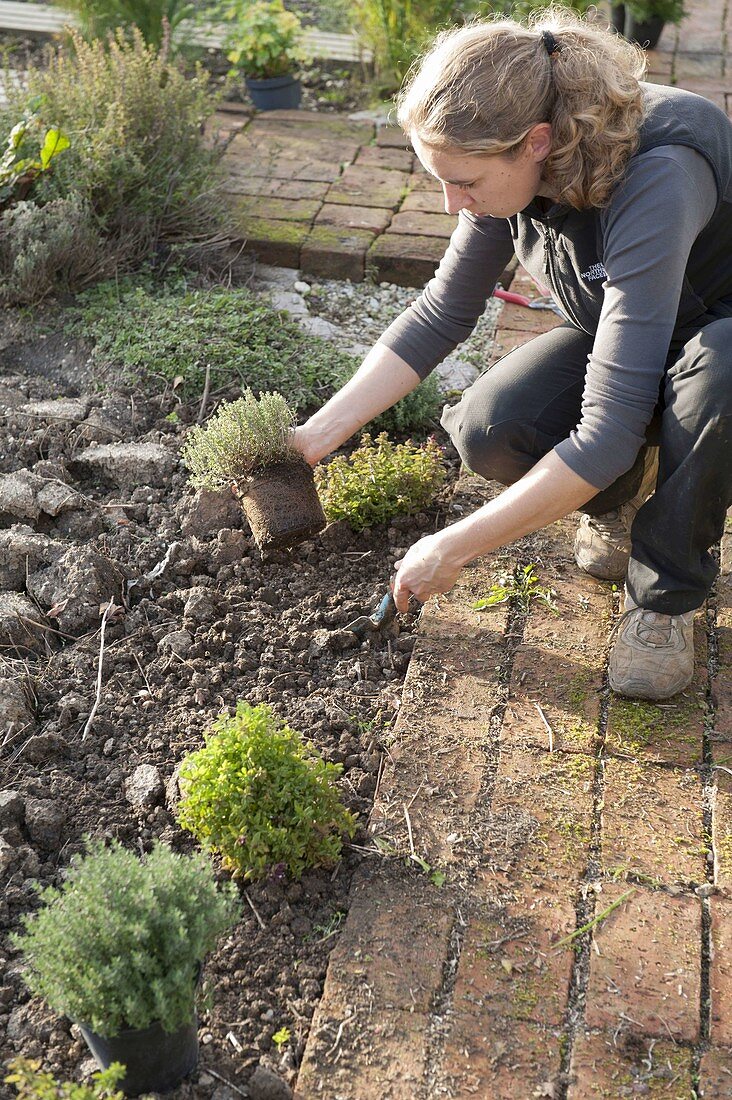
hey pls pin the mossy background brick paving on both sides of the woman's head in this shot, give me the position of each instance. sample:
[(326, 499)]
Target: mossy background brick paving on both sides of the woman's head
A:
[(348, 200)]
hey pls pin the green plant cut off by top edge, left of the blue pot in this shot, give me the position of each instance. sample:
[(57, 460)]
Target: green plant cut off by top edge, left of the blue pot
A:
[(155, 19)]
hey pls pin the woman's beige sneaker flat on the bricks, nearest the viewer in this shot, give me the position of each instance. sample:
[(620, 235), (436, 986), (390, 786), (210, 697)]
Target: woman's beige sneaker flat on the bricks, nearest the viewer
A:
[(653, 656)]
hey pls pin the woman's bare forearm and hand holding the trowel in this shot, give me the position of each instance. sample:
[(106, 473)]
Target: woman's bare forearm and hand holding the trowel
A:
[(550, 491)]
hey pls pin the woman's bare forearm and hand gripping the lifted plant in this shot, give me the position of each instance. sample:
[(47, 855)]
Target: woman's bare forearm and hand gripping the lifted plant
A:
[(381, 381)]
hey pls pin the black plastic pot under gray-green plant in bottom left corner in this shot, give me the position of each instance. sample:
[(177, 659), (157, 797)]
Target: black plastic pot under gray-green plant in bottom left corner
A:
[(156, 1060)]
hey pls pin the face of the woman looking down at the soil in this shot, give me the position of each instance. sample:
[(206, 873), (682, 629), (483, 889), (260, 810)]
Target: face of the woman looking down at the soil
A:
[(499, 185)]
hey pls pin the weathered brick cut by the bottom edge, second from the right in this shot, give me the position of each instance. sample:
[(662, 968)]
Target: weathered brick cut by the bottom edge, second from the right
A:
[(607, 1066)]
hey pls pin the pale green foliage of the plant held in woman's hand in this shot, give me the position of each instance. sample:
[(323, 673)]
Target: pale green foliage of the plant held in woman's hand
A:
[(243, 437)]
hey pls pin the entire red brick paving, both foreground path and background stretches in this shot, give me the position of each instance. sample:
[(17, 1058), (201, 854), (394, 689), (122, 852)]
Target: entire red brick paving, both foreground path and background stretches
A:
[(547, 804)]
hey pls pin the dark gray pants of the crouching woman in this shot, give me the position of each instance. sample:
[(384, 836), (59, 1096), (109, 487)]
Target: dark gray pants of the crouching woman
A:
[(526, 404)]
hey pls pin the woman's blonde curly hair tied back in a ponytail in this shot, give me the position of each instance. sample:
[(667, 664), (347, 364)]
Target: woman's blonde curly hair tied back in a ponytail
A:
[(483, 87)]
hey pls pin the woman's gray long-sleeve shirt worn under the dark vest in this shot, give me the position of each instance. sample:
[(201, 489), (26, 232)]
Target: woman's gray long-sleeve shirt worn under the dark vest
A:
[(631, 293)]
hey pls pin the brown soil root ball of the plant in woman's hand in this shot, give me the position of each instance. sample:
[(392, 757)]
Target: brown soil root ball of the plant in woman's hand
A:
[(282, 505)]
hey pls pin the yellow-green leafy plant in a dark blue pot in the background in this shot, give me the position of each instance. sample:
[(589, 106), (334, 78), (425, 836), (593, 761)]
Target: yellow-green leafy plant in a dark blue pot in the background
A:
[(265, 43)]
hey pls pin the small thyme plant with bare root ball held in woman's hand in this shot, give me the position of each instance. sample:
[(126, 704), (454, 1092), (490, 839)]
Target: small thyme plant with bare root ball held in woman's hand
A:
[(248, 447)]
